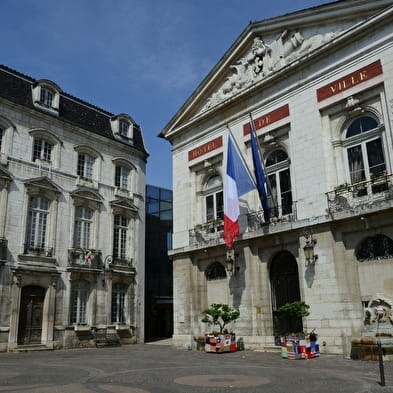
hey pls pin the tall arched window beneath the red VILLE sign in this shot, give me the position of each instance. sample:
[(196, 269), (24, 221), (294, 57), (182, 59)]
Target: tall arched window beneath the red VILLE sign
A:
[(364, 149)]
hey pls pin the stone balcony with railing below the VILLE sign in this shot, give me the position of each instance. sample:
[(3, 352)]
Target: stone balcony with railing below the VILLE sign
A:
[(363, 196)]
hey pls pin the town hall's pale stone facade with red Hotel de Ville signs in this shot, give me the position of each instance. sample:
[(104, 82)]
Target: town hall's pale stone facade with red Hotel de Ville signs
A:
[(318, 86)]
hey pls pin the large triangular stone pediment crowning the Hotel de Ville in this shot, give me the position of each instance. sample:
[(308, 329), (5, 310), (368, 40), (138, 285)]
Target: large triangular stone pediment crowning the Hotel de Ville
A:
[(268, 49)]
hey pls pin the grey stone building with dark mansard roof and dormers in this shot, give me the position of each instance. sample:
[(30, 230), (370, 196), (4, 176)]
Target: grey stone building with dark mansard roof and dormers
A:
[(72, 219)]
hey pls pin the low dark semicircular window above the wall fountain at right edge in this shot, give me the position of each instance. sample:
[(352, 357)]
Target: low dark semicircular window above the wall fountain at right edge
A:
[(375, 247)]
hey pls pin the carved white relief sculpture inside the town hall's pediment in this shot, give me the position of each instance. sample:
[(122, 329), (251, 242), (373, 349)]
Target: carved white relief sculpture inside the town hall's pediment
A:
[(263, 59)]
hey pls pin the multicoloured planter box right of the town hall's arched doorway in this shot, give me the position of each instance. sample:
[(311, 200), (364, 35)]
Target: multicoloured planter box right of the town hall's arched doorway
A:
[(298, 347)]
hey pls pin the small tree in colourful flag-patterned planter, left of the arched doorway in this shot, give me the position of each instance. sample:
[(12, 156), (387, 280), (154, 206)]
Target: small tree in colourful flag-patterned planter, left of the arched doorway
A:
[(220, 315)]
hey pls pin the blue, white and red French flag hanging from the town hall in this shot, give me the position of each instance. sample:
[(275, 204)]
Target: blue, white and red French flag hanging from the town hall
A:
[(237, 183)]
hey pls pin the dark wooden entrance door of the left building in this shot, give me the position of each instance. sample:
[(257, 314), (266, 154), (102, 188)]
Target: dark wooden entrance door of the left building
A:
[(30, 317)]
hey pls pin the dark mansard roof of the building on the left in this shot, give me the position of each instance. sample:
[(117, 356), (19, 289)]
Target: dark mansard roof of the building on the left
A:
[(17, 88)]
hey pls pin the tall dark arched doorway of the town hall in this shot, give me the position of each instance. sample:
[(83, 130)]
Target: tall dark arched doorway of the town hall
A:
[(284, 279)]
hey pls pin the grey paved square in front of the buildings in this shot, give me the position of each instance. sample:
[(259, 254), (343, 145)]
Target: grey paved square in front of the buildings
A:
[(144, 368)]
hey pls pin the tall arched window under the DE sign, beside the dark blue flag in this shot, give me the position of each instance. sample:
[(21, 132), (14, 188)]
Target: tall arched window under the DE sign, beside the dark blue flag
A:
[(279, 178)]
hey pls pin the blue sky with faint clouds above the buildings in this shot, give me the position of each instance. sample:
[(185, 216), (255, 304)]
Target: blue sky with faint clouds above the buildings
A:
[(140, 57)]
